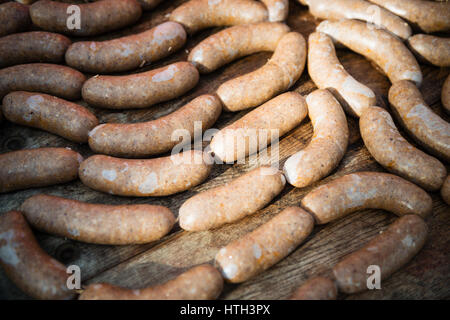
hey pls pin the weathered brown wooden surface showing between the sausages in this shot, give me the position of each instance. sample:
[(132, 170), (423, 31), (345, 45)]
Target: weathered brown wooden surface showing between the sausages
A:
[(426, 277)]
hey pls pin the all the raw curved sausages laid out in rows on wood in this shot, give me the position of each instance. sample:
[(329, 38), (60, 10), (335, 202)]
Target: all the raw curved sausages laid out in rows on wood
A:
[(37, 91)]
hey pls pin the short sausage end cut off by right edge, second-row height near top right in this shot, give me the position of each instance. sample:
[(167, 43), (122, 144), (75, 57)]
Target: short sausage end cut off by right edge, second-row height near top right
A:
[(432, 49)]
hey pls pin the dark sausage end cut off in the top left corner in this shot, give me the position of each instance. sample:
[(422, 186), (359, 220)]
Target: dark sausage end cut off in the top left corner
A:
[(14, 17)]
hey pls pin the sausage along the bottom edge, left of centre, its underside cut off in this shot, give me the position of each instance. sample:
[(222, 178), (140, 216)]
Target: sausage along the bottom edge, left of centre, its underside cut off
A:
[(203, 282)]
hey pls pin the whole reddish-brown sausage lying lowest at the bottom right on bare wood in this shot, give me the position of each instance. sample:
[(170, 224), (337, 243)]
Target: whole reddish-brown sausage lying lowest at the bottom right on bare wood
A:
[(390, 250)]
